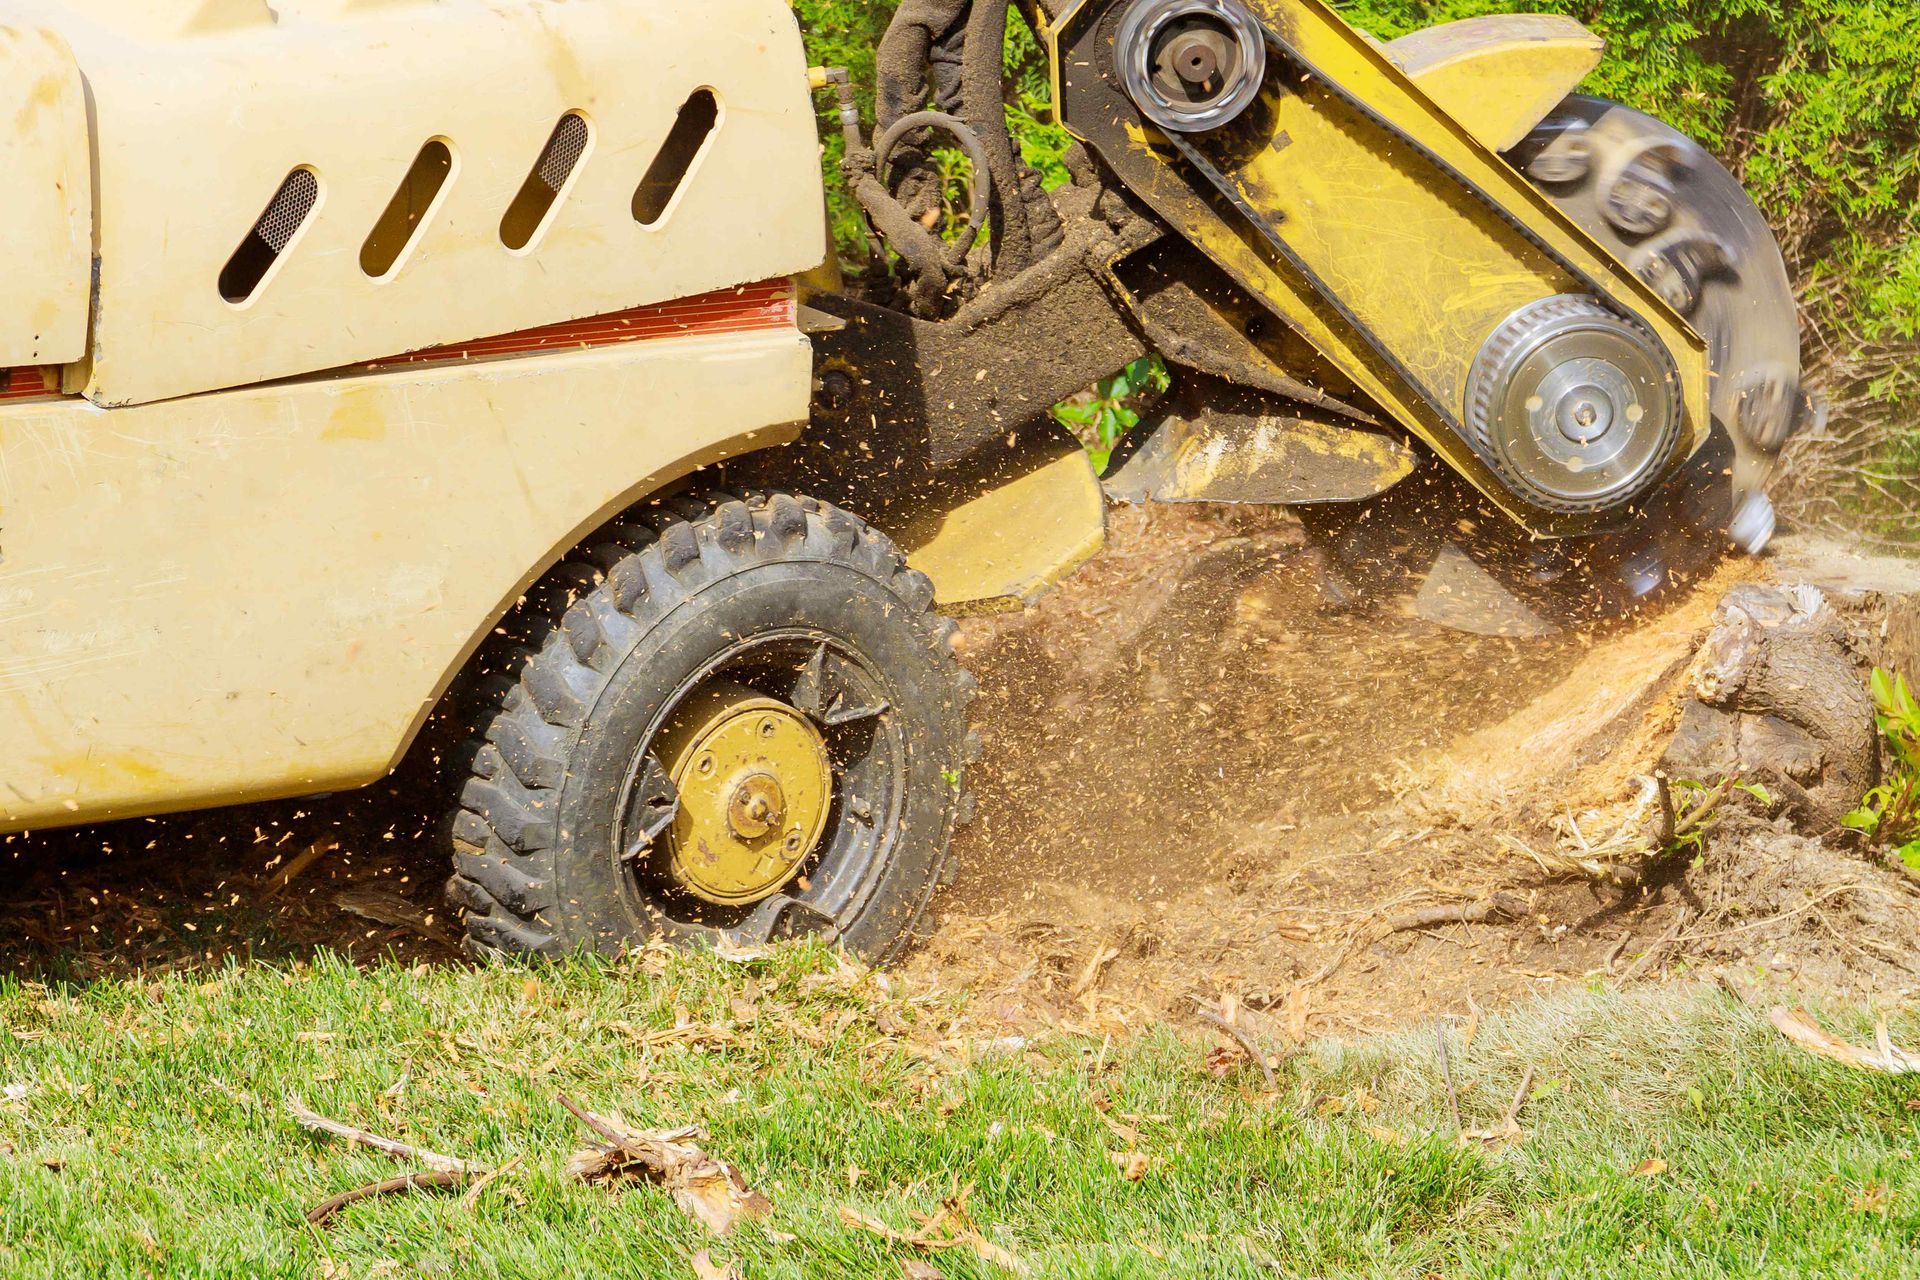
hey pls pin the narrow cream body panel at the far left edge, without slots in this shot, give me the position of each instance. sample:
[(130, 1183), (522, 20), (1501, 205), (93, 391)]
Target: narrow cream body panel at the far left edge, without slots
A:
[(47, 206)]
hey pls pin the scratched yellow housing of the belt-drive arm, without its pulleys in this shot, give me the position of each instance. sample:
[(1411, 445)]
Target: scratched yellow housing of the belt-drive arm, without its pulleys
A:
[(1399, 239)]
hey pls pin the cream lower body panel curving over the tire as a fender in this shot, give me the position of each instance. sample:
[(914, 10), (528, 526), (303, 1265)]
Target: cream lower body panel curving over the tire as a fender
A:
[(260, 594)]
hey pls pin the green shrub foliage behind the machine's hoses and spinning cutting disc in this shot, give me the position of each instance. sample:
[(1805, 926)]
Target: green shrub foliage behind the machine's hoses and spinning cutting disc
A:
[(1813, 103)]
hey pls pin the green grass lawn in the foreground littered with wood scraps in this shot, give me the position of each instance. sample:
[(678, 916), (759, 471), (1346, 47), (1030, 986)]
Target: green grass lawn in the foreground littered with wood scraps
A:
[(143, 1133)]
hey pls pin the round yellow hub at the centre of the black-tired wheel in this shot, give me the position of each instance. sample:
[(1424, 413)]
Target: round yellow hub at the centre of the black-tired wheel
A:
[(756, 788)]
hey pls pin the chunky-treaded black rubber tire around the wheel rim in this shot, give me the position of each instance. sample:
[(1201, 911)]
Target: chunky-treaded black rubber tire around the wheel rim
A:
[(613, 638)]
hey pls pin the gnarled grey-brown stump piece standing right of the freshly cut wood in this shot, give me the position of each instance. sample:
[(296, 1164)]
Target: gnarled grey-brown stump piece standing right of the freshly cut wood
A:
[(1781, 699)]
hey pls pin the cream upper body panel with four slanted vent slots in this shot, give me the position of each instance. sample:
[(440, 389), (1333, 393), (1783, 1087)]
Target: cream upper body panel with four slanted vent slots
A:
[(203, 110)]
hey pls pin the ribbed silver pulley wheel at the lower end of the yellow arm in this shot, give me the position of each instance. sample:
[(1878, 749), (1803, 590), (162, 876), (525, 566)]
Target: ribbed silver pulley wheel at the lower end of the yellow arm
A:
[(1575, 406)]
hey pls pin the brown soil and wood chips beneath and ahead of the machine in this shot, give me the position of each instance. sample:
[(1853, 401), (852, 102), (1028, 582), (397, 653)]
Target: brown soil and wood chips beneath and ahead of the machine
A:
[(1199, 784)]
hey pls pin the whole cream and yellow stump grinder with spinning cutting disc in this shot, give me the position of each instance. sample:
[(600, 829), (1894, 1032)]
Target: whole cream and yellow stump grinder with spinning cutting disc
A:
[(477, 381)]
